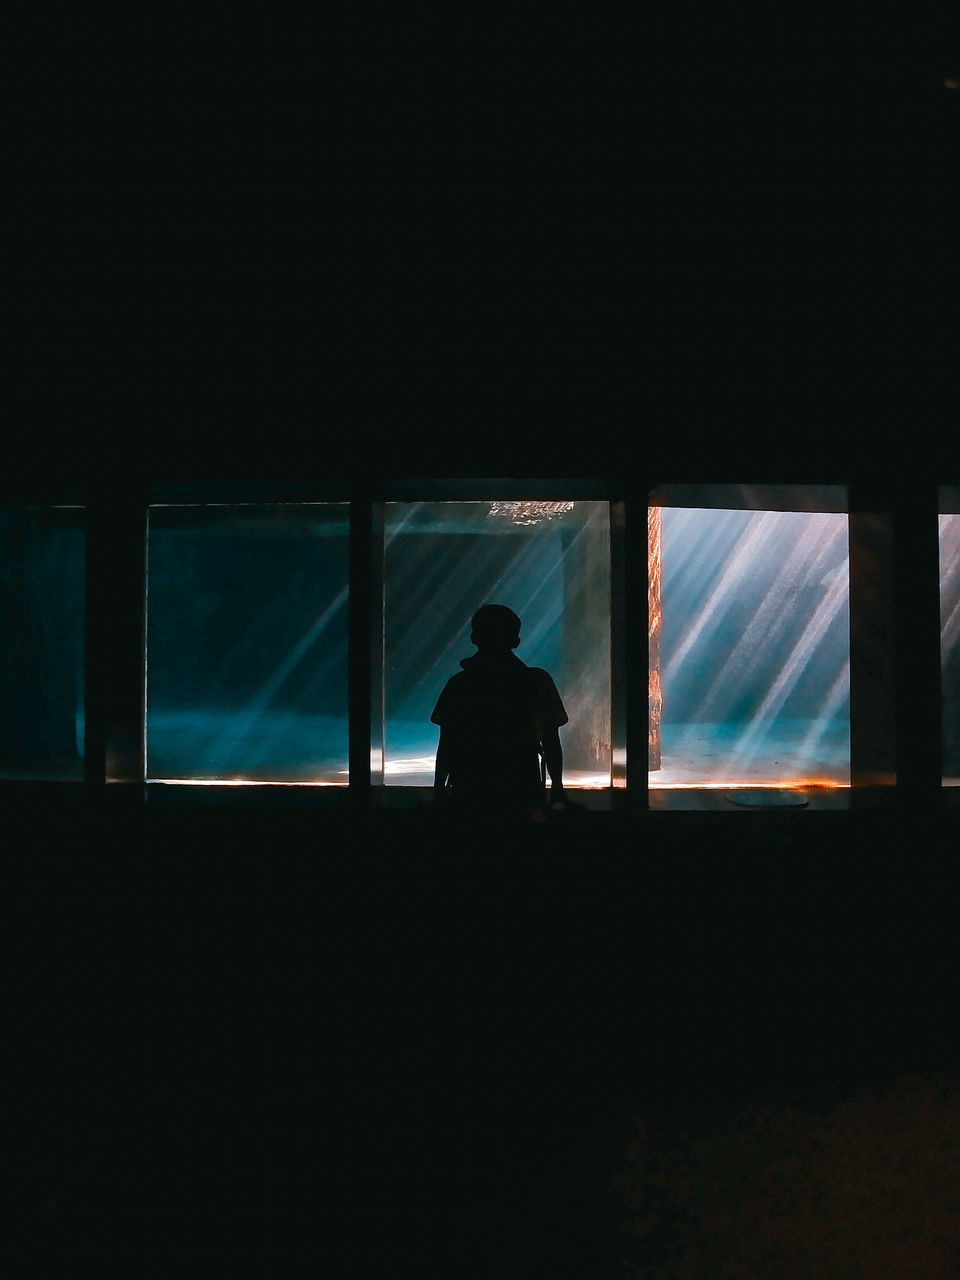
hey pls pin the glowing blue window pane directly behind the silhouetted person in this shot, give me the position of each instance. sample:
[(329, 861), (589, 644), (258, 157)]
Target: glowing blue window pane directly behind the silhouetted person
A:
[(547, 561)]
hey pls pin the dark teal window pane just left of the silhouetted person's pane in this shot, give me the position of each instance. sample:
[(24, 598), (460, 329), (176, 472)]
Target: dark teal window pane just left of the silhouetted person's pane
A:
[(248, 643)]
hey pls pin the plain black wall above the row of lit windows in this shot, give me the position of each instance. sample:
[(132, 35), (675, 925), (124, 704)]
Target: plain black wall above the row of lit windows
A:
[(730, 248)]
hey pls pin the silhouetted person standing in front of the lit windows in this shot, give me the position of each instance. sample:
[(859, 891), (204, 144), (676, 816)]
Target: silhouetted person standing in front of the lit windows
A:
[(499, 719)]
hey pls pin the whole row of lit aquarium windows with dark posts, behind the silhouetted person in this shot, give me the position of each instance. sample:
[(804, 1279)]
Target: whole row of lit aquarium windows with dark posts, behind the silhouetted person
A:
[(784, 642)]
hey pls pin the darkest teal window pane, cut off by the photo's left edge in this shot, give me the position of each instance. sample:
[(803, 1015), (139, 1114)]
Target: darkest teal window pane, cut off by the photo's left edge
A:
[(42, 629)]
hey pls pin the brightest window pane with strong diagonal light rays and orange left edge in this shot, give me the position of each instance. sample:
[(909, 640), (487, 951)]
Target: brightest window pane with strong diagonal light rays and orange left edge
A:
[(755, 648)]
